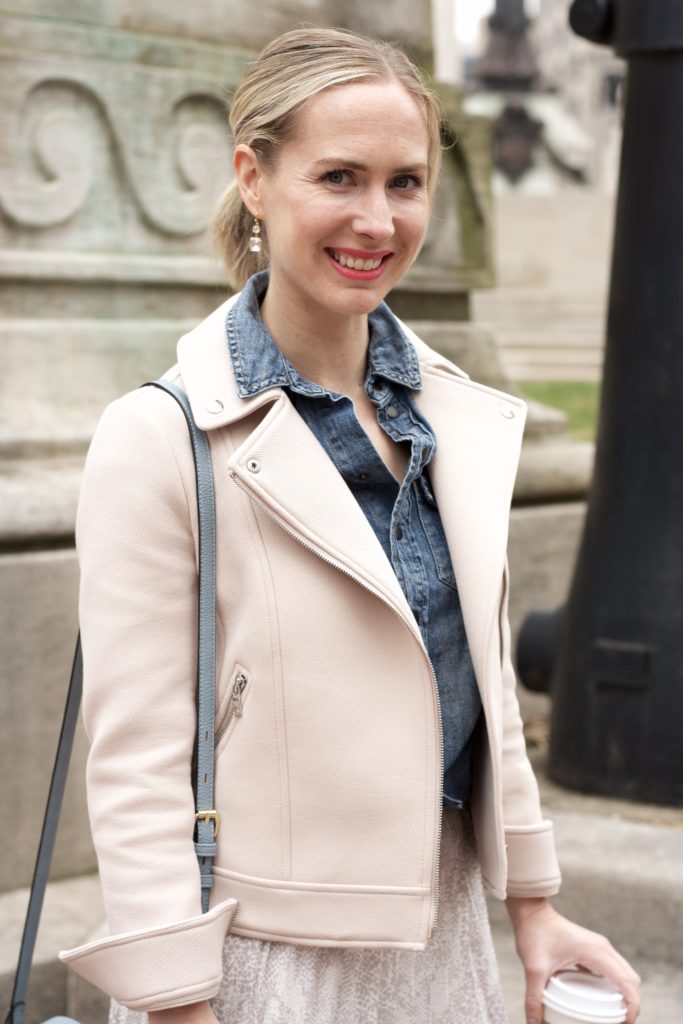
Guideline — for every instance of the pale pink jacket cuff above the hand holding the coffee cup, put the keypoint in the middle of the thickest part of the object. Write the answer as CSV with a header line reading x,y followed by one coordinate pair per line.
x,y
533,868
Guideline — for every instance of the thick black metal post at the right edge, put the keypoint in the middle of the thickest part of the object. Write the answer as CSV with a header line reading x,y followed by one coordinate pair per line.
x,y
617,724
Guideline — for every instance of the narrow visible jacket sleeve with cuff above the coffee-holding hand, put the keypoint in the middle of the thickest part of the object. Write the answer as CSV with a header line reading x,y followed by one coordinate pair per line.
x,y
533,868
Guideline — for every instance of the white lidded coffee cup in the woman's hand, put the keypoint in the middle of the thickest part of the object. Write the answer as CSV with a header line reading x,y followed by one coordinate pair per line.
x,y
577,998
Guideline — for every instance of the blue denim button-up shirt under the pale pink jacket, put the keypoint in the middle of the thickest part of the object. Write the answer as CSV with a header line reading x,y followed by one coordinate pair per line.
x,y
404,517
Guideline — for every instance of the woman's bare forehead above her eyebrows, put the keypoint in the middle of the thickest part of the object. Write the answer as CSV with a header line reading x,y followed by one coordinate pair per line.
x,y
370,115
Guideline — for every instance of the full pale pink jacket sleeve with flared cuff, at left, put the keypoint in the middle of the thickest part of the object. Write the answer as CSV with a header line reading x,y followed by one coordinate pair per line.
x,y
136,534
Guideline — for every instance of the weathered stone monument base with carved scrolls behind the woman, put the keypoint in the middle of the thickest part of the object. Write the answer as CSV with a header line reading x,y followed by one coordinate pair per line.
x,y
115,149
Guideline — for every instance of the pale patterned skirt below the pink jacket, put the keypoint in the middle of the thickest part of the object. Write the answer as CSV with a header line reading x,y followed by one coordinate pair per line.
x,y
454,982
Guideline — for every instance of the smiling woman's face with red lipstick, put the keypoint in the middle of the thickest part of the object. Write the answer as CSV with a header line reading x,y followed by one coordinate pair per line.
x,y
347,204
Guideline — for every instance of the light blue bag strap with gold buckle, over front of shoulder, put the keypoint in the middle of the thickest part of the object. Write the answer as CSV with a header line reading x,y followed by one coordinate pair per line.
x,y
206,817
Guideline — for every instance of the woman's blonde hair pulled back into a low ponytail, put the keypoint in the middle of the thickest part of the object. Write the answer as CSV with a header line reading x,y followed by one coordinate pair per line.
x,y
287,73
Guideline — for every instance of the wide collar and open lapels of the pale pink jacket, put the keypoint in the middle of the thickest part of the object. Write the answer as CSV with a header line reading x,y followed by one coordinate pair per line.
x,y
282,465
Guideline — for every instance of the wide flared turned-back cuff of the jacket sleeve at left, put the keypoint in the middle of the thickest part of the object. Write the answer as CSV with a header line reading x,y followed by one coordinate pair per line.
x,y
158,968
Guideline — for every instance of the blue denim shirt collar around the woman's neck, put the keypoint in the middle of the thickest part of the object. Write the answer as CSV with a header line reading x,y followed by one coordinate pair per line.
x,y
259,364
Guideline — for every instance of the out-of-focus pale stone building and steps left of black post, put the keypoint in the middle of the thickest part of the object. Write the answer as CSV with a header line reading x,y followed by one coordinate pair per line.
x,y
554,219
